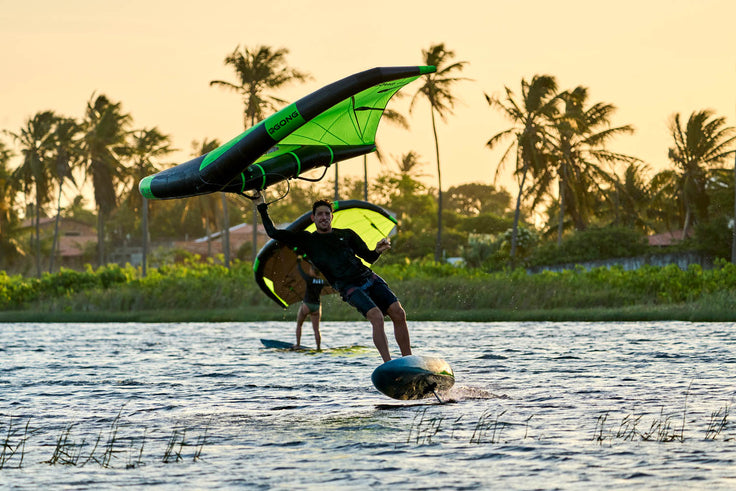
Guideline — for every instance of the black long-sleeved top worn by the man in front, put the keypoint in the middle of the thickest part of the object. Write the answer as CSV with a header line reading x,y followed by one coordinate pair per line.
x,y
333,253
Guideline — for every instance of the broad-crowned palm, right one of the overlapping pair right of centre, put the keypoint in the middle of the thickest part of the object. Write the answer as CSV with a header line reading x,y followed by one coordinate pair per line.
x,y
578,139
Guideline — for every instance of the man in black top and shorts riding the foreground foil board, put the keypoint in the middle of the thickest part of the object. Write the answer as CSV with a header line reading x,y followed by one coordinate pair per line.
x,y
335,253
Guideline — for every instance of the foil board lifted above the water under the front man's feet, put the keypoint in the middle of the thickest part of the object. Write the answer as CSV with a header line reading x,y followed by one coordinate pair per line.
x,y
413,377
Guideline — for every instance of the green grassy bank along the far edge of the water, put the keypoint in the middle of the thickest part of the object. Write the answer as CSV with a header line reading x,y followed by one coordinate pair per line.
x,y
201,292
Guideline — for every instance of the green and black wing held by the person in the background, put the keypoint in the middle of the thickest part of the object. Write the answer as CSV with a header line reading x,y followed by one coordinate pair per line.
x,y
275,265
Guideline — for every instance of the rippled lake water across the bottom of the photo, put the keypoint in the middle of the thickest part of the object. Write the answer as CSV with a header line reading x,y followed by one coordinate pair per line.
x,y
201,406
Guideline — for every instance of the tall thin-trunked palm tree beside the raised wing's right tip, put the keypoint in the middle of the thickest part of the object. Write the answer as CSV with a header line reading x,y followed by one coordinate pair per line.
x,y
437,90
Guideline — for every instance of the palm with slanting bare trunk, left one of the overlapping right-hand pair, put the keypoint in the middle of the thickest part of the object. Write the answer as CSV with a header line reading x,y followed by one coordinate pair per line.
x,y
531,116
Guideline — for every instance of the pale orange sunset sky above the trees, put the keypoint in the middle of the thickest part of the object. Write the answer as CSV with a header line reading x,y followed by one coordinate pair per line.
x,y
651,58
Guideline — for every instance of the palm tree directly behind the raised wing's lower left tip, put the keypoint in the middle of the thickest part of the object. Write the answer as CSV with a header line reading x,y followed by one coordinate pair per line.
x,y
146,147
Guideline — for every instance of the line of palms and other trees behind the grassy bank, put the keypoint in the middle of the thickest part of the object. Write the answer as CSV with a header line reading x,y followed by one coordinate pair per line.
x,y
557,144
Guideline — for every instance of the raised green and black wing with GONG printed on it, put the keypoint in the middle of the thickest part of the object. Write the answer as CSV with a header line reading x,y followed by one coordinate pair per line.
x,y
337,122
